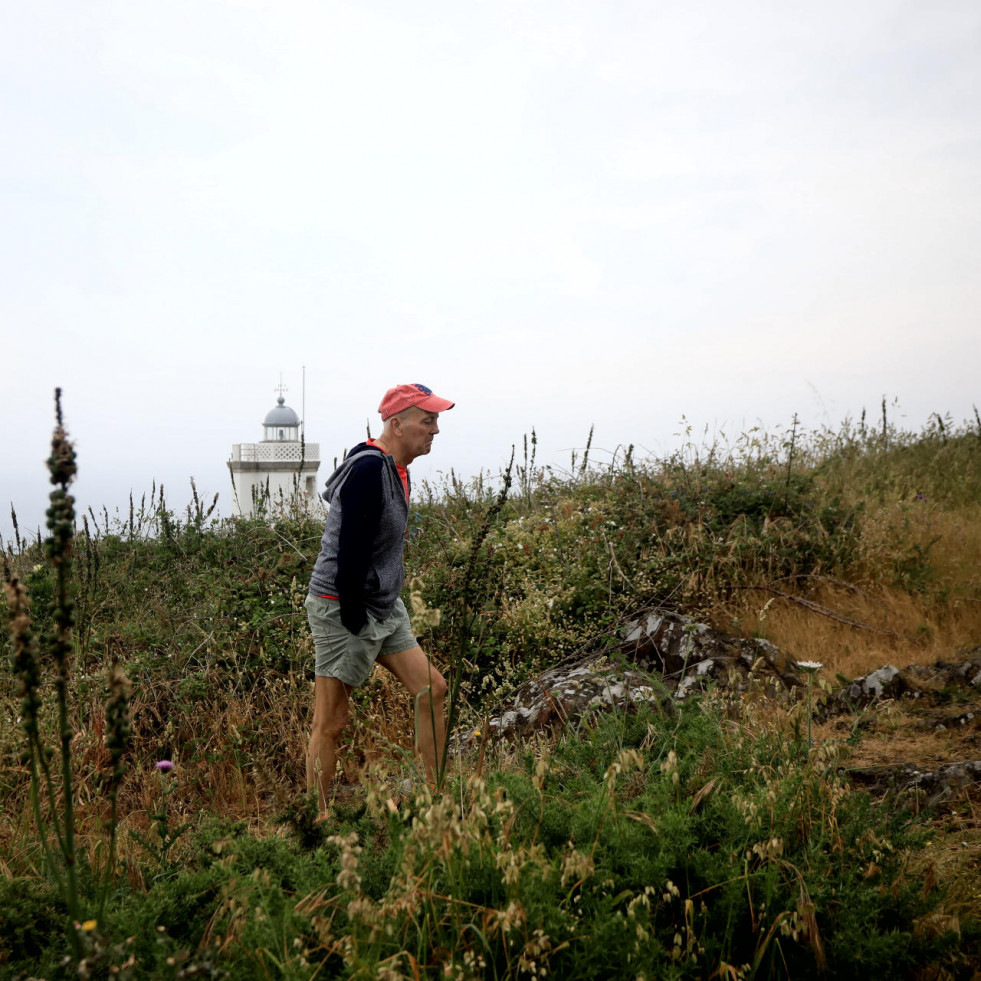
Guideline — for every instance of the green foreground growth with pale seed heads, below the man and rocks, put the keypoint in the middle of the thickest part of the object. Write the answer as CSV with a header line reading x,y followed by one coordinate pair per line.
x,y
776,870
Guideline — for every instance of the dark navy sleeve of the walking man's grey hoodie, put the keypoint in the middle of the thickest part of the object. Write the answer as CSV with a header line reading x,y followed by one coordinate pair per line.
x,y
361,505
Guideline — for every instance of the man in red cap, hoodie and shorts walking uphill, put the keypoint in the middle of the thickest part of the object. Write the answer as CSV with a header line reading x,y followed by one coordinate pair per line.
x,y
354,607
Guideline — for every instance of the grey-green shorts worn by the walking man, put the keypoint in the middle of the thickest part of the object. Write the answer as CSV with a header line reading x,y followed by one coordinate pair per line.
x,y
347,656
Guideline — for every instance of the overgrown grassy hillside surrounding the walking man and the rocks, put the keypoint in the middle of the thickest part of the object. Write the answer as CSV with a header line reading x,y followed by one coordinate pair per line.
x,y
708,844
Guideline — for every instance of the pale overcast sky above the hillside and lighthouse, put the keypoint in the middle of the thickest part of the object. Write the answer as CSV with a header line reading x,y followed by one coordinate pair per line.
x,y
559,213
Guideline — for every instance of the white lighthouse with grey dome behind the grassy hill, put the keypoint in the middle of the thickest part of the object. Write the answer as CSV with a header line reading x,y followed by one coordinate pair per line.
x,y
279,473
